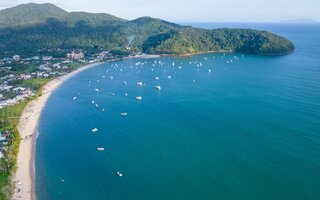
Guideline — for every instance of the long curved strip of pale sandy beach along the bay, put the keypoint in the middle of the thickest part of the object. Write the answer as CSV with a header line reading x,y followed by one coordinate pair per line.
x,y
28,124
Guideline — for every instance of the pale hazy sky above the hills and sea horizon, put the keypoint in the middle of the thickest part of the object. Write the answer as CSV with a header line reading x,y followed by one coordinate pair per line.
x,y
192,10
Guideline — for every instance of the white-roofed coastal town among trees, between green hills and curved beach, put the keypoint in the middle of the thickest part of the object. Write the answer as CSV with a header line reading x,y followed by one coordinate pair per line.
x,y
46,67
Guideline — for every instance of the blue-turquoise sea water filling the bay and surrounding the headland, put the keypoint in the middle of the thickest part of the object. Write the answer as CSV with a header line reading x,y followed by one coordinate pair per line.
x,y
249,130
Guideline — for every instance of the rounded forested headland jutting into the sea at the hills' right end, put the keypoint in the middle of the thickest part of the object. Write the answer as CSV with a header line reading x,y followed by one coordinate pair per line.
x,y
190,40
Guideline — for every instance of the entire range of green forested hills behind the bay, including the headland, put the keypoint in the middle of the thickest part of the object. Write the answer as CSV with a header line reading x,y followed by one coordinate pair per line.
x,y
29,28
